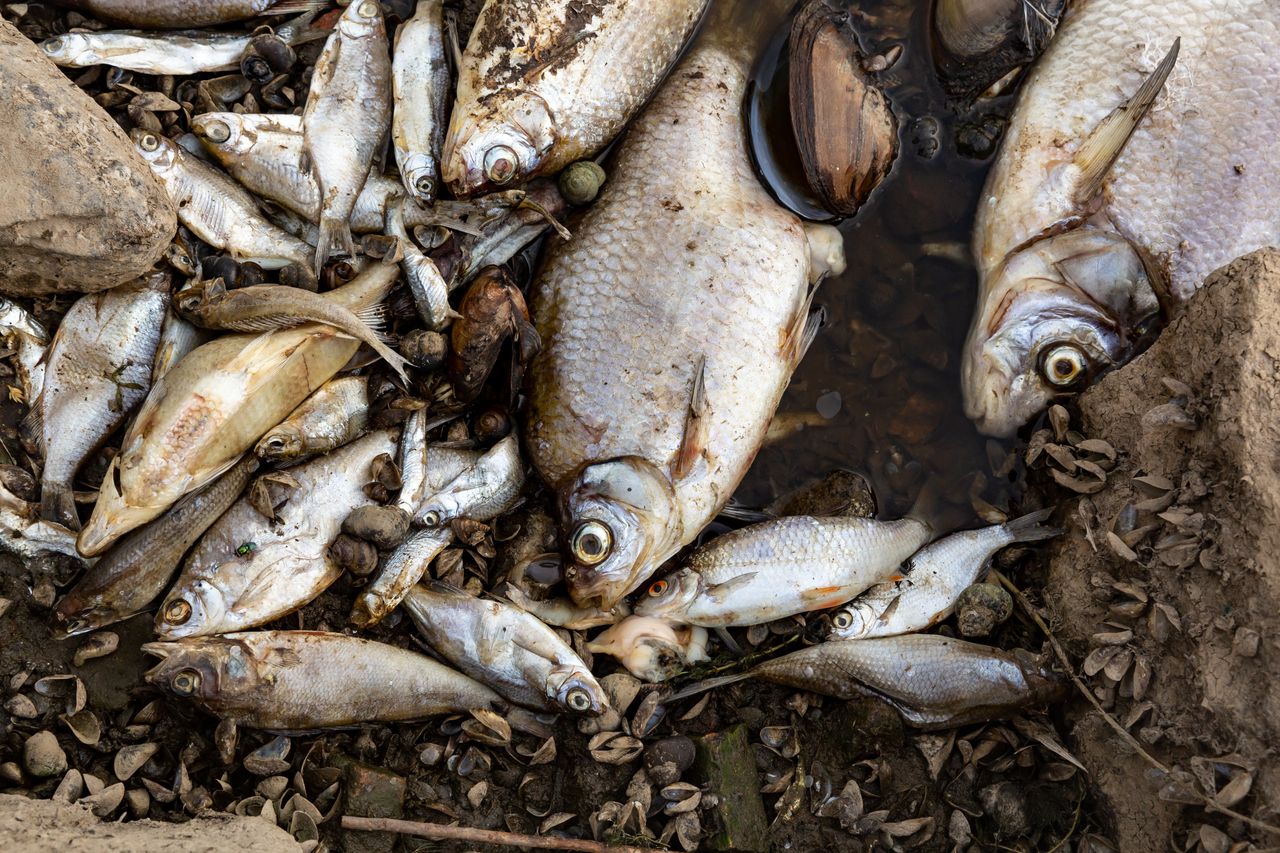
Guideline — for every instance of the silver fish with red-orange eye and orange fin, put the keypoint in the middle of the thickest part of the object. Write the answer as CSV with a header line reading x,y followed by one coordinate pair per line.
x,y
781,568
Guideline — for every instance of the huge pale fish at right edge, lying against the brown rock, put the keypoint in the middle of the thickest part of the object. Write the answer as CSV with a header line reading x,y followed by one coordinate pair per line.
x,y
1136,165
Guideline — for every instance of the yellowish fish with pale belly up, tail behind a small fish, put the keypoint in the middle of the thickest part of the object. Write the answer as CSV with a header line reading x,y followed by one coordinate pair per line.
x,y
214,405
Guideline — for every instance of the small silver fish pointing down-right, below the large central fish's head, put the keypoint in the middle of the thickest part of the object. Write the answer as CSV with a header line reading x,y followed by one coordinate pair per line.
x,y
502,646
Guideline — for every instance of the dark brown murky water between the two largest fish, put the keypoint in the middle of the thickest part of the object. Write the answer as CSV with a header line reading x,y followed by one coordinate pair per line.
x,y
884,377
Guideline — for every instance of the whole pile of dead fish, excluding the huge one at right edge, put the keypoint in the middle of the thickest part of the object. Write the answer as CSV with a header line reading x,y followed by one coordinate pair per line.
x,y
267,450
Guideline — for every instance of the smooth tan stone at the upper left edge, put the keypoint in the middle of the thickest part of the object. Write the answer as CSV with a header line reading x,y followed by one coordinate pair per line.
x,y
80,211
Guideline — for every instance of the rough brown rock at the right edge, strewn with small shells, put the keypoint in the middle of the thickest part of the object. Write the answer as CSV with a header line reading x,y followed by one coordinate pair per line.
x,y
1212,695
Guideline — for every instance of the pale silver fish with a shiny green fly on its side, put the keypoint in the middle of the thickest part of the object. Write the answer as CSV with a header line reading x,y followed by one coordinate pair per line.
x,y
249,571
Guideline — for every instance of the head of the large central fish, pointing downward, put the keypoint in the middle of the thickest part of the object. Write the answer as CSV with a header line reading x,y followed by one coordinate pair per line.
x,y
621,523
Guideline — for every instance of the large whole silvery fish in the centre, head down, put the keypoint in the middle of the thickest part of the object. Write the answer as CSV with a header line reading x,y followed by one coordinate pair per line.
x,y
671,323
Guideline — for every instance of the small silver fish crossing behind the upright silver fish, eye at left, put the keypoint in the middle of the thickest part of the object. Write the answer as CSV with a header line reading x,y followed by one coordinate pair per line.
x,y
264,153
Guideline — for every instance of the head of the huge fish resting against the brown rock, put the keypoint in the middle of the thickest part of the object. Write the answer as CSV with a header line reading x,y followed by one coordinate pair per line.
x,y
1058,313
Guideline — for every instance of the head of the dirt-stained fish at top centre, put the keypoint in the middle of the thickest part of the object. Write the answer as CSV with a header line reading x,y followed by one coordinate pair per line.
x,y
502,148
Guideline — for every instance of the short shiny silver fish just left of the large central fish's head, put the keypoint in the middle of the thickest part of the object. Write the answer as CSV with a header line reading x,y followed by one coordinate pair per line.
x,y
484,491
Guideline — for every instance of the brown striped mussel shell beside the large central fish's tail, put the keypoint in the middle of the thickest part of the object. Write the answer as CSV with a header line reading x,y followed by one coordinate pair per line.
x,y
845,129
